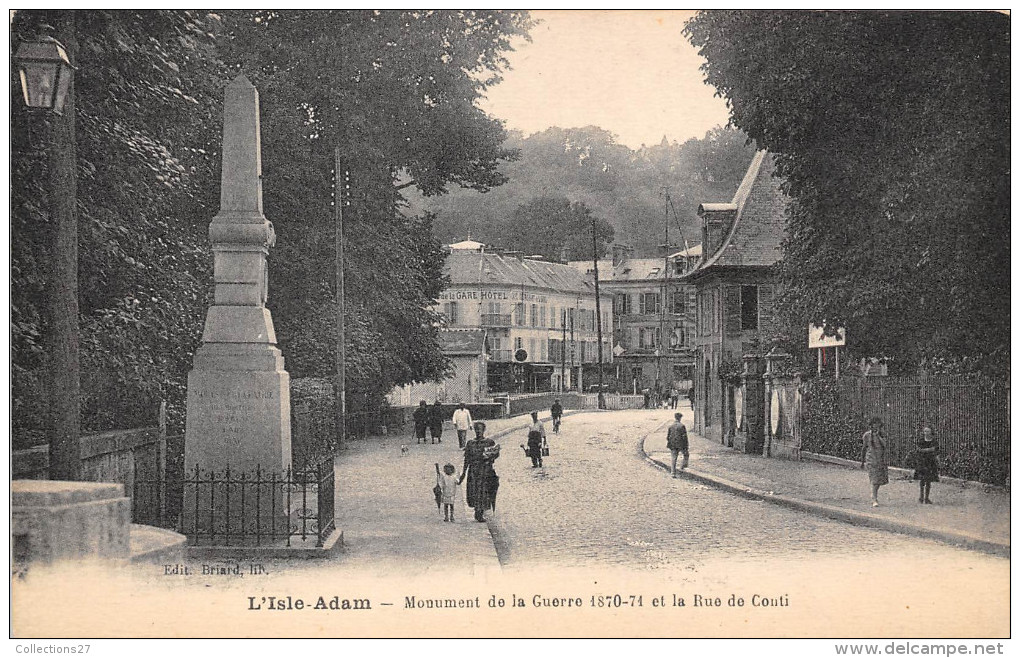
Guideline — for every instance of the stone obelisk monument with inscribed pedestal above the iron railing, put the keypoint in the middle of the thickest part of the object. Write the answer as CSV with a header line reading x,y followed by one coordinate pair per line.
x,y
239,394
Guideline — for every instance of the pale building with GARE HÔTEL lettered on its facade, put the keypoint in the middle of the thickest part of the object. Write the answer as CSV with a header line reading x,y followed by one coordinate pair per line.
x,y
539,319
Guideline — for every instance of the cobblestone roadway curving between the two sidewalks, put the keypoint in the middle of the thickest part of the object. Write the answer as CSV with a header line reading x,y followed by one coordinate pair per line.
x,y
596,500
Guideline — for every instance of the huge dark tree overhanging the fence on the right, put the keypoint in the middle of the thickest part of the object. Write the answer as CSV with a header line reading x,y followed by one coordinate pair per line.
x,y
889,130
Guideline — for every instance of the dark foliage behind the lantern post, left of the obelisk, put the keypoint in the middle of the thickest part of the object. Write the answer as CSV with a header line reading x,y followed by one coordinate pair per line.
x,y
146,98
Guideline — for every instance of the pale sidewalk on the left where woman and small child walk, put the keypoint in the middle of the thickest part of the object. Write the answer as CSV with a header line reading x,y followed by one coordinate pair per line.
x,y
388,515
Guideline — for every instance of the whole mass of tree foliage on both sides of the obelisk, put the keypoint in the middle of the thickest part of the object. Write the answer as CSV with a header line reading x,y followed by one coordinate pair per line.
x,y
396,91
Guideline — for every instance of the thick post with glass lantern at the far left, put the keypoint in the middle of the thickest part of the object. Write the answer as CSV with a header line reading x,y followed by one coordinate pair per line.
x,y
46,73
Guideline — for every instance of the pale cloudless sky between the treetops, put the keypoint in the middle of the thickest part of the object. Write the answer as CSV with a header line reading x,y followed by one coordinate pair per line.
x,y
631,73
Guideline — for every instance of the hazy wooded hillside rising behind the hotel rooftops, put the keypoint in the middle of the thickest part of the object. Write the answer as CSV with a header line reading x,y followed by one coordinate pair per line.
x,y
622,185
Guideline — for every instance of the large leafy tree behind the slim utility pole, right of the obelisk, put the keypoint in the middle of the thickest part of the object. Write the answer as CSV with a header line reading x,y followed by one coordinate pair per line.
x,y
396,92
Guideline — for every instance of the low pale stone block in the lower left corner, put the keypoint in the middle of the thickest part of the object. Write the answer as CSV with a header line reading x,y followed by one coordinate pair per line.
x,y
63,521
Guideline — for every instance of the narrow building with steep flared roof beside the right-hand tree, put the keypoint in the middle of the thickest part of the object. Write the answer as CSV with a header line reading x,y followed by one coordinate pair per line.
x,y
735,287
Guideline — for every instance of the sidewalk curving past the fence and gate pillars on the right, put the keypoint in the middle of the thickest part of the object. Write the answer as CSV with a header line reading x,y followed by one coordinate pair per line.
x,y
974,516
